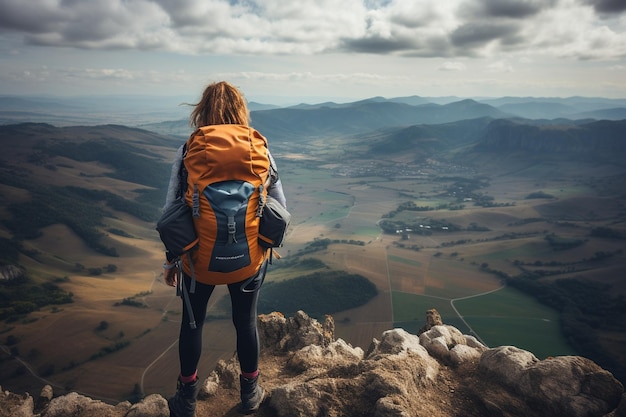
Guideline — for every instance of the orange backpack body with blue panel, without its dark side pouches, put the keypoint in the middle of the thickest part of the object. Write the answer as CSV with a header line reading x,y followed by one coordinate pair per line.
x,y
227,168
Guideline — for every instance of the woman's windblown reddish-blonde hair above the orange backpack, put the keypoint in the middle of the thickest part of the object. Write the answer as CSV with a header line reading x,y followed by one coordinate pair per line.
x,y
221,104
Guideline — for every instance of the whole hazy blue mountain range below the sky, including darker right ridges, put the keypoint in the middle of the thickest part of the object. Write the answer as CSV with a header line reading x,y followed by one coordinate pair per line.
x,y
578,124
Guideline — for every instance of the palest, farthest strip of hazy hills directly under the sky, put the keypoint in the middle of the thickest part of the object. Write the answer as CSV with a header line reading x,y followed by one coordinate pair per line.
x,y
359,116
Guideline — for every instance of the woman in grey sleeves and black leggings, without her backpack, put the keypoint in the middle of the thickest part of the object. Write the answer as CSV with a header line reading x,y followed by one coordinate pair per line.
x,y
221,104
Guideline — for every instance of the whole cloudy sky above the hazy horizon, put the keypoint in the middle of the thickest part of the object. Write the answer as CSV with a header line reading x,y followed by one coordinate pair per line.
x,y
285,51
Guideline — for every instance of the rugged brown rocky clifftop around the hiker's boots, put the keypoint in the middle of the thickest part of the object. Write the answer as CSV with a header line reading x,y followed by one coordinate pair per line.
x,y
441,372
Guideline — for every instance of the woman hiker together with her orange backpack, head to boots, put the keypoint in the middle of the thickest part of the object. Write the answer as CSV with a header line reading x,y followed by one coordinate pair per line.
x,y
223,148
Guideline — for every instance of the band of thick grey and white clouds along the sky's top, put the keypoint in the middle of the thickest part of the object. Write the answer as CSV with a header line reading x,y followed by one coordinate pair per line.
x,y
411,28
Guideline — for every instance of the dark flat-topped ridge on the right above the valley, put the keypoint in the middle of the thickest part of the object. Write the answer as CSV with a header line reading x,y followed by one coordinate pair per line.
x,y
589,139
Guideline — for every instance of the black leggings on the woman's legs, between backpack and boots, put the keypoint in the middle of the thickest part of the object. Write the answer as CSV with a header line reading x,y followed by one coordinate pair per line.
x,y
243,296
